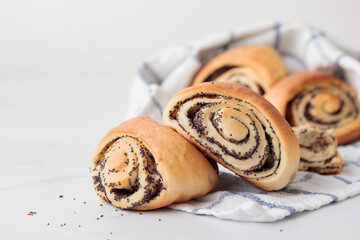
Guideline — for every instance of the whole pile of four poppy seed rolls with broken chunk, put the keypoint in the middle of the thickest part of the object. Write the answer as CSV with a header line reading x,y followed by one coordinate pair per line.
x,y
243,112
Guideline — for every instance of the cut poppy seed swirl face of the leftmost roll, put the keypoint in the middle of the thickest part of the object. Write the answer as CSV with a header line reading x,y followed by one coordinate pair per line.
x,y
125,173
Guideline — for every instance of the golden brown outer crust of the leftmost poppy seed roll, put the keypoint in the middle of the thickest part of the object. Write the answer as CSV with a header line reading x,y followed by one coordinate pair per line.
x,y
185,173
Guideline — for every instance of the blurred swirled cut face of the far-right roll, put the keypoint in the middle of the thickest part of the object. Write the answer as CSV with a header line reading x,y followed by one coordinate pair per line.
x,y
328,106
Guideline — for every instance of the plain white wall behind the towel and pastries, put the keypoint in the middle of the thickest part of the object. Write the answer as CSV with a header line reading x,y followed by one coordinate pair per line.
x,y
87,37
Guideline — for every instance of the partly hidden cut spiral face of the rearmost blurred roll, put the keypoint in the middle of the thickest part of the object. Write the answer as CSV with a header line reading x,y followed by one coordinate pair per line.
x,y
237,74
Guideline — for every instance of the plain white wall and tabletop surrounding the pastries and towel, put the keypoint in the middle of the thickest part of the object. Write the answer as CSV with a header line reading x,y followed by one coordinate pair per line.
x,y
65,72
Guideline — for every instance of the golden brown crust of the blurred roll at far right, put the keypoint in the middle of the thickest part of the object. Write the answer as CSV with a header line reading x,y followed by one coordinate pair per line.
x,y
286,89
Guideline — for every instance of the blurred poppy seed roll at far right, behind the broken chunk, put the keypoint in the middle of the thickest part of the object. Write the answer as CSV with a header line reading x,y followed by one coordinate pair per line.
x,y
318,99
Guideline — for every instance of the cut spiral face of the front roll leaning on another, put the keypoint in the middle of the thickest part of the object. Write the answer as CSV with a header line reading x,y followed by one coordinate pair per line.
x,y
230,129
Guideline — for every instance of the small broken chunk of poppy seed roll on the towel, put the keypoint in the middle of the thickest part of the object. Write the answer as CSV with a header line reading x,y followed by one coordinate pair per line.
x,y
318,150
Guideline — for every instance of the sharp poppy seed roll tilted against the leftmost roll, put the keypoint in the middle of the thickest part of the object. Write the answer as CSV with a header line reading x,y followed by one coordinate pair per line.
x,y
239,129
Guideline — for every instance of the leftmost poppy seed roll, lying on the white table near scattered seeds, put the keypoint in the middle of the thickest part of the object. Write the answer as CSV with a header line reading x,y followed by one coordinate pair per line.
x,y
144,165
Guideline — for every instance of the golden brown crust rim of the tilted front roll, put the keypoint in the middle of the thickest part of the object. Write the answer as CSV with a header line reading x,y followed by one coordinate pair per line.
x,y
289,146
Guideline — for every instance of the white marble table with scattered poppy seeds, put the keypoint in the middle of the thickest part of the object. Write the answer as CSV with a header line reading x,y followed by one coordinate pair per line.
x,y
49,130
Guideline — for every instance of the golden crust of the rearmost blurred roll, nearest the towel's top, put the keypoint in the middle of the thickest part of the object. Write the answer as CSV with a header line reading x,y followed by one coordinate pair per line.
x,y
263,60
